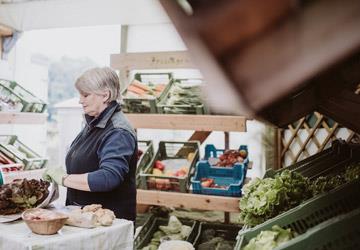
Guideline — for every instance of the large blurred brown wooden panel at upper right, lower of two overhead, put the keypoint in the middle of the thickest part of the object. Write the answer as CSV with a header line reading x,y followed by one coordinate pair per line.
x,y
310,42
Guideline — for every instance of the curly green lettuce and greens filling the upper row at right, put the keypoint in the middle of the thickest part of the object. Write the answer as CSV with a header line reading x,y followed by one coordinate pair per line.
x,y
266,198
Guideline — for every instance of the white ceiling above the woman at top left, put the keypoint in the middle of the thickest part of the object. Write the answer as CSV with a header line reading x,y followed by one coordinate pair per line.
x,y
43,14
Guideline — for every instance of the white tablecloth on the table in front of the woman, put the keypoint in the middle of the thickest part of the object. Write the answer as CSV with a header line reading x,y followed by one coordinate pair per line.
x,y
17,236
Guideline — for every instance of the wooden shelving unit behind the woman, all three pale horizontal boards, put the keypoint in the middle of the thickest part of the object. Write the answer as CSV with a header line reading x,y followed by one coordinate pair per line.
x,y
203,125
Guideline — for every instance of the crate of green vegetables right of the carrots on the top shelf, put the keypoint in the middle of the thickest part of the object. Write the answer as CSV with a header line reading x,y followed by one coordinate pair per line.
x,y
184,97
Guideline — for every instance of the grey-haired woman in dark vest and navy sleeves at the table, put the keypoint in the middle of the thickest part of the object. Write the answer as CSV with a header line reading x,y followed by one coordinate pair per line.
x,y
101,161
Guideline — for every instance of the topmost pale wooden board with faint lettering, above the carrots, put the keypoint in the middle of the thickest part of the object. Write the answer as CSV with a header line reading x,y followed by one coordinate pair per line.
x,y
151,60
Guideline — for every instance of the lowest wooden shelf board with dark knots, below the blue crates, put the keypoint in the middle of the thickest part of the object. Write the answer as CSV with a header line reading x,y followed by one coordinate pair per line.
x,y
188,200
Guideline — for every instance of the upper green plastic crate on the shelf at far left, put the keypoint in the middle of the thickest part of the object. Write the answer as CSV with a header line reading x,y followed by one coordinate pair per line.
x,y
29,102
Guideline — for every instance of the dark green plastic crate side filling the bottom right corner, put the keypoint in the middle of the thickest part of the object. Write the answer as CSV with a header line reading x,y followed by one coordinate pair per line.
x,y
339,233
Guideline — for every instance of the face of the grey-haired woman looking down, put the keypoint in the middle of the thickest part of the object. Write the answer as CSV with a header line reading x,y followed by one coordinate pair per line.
x,y
93,104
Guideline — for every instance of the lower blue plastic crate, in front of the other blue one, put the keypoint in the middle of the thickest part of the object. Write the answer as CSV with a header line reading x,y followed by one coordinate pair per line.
x,y
233,178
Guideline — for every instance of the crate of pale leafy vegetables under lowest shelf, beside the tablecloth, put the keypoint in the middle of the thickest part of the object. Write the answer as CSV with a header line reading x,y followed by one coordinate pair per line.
x,y
156,229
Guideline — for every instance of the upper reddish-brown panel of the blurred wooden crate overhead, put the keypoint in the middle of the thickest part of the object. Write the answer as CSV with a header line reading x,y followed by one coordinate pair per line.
x,y
230,24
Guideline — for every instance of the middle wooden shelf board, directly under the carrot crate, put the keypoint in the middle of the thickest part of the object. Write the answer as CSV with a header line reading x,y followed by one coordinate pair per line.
x,y
188,122
